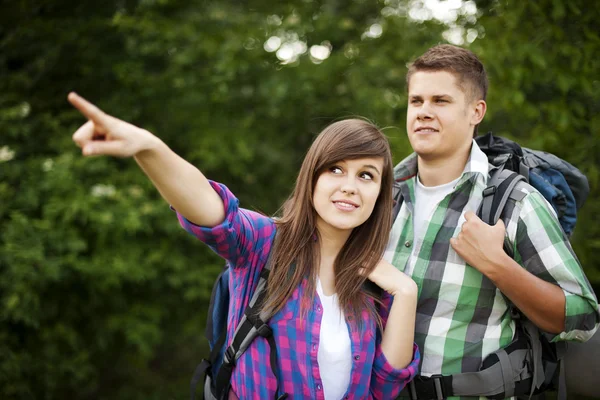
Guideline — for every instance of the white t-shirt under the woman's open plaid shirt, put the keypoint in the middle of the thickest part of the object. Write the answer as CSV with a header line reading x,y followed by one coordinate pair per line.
x,y
335,353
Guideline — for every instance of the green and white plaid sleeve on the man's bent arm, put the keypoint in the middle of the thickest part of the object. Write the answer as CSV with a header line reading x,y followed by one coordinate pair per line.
x,y
543,249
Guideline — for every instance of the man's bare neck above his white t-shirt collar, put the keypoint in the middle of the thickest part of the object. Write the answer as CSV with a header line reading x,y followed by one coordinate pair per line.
x,y
436,172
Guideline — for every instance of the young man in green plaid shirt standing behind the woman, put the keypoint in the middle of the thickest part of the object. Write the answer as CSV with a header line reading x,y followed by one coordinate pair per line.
x,y
464,275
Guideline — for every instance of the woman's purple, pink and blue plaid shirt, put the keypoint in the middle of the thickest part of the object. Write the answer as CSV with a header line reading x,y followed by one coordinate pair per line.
x,y
244,239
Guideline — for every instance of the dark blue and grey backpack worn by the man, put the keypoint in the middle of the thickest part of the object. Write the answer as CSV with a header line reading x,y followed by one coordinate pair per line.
x,y
566,189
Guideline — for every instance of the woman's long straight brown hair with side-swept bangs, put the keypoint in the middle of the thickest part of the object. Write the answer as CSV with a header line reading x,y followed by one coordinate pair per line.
x,y
295,253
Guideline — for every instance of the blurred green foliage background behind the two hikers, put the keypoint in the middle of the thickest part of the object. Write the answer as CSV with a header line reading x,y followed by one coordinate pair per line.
x,y
102,295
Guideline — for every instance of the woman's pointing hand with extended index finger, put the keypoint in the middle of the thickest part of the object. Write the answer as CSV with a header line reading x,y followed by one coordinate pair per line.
x,y
106,135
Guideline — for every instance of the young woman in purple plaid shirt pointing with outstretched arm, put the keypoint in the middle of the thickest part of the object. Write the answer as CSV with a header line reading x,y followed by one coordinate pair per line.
x,y
334,339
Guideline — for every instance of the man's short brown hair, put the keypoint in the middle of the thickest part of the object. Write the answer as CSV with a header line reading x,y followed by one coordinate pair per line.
x,y
464,64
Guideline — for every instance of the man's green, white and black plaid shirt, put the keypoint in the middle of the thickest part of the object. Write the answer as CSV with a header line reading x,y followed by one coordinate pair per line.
x,y
461,315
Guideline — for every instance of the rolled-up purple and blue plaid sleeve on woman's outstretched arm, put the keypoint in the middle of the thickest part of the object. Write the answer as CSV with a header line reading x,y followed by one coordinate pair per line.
x,y
236,238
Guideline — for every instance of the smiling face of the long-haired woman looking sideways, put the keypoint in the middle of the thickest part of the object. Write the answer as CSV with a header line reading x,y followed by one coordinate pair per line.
x,y
346,193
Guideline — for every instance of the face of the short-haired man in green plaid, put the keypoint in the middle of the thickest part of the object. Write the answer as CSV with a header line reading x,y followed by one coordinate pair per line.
x,y
439,121
